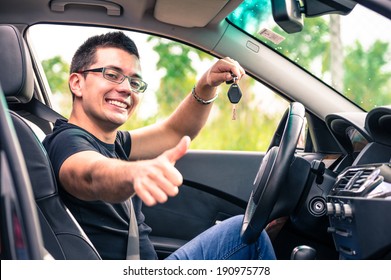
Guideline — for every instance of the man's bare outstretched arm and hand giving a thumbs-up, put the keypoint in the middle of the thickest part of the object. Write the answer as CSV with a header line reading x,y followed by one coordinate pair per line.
x,y
114,180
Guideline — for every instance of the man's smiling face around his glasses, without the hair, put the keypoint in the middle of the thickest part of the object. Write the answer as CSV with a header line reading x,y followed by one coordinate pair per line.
x,y
104,102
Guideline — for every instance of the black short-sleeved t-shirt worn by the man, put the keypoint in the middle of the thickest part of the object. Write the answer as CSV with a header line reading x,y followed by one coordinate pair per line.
x,y
106,224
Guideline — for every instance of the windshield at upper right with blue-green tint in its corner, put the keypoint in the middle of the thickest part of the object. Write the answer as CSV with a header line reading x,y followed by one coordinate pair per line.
x,y
350,53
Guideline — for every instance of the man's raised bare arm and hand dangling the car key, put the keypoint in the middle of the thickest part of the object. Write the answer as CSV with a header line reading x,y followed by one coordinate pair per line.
x,y
188,118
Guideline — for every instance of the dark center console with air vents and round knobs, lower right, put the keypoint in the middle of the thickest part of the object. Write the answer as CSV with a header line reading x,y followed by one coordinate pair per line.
x,y
359,211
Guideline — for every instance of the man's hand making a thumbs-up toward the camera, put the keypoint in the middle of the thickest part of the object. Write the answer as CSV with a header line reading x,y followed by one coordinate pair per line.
x,y
157,179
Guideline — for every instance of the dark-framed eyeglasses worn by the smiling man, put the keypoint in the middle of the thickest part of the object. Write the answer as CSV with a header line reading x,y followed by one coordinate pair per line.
x,y
117,77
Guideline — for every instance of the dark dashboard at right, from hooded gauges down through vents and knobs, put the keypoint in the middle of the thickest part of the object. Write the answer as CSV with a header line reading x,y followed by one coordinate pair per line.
x,y
359,203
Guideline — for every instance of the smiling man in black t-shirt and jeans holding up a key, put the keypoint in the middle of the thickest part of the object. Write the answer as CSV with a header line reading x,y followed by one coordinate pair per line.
x,y
99,168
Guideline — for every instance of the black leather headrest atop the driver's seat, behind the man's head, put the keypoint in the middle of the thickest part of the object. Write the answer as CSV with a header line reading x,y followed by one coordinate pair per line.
x,y
16,73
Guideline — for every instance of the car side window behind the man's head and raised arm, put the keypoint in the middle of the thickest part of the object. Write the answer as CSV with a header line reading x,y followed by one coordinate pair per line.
x,y
171,70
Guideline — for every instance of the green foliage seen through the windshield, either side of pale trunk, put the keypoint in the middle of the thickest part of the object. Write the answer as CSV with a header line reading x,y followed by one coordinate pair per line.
x,y
366,82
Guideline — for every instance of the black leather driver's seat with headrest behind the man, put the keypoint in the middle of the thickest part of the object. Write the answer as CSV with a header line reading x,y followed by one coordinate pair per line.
x,y
63,237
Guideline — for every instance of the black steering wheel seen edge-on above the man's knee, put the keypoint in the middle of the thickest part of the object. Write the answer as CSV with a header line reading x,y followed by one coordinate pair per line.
x,y
272,173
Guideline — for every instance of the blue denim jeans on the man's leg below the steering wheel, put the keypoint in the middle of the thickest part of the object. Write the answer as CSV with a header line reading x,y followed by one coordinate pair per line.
x,y
223,242
